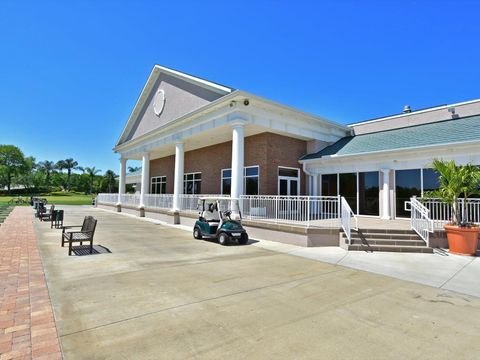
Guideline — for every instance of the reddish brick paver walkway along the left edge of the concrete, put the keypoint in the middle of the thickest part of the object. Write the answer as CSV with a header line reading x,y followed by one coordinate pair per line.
x,y
27,326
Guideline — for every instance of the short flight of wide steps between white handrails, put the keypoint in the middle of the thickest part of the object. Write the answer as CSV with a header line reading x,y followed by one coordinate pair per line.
x,y
385,240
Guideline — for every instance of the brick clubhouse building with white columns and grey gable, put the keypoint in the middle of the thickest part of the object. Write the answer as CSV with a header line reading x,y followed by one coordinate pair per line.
x,y
195,136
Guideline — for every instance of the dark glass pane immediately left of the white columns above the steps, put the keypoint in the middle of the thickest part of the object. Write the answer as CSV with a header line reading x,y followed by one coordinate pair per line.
x,y
368,188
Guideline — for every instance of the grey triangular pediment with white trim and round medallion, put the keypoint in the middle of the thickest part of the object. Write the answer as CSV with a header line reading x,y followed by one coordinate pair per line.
x,y
167,96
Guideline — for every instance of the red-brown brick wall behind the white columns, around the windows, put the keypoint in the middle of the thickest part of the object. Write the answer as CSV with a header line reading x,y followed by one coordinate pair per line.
x,y
267,150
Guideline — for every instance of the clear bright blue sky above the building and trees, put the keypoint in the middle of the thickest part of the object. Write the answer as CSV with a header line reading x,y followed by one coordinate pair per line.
x,y
70,72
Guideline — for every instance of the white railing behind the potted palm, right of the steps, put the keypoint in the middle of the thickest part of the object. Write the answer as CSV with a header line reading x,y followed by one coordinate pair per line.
x,y
442,213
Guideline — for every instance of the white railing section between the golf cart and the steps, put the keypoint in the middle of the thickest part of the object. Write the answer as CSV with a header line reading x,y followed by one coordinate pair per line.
x,y
320,211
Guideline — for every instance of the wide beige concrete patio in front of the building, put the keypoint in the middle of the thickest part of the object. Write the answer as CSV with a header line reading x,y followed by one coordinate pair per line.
x,y
162,294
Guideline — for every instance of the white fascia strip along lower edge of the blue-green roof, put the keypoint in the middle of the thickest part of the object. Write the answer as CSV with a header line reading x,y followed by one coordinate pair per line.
x,y
331,158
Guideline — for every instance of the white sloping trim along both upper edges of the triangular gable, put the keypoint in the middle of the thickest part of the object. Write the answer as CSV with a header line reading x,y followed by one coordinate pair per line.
x,y
149,87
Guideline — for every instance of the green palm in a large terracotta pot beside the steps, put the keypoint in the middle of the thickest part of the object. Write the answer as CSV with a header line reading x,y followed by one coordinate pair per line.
x,y
456,181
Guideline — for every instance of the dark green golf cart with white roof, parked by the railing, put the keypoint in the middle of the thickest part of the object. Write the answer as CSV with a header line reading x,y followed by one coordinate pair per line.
x,y
213,223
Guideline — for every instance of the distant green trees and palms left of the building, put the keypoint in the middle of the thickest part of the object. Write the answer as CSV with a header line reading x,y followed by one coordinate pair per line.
x,y
22,174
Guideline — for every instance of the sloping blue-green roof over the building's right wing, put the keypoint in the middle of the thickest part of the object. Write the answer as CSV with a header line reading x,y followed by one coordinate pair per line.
x,y
442,132
